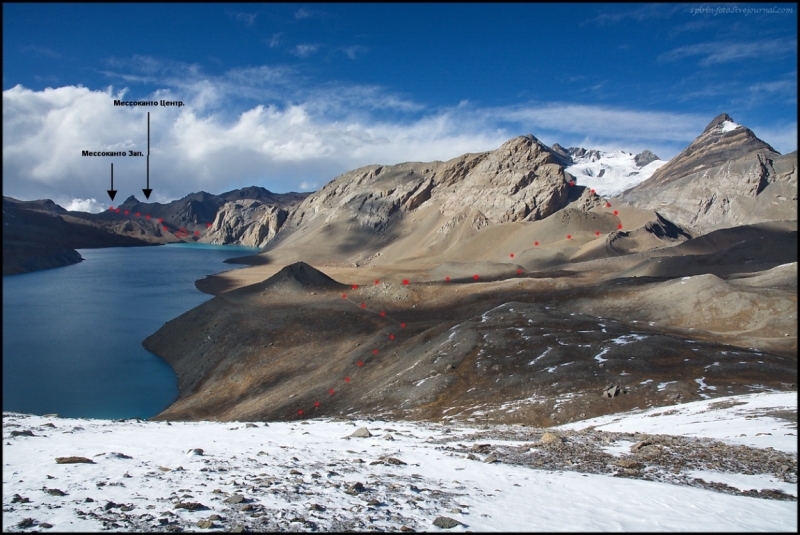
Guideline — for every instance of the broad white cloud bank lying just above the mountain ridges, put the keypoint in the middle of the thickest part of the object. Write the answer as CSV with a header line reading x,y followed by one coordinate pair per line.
x,y
300,135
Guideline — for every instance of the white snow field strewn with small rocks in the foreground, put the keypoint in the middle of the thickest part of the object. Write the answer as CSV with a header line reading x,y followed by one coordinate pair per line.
x,y
257,463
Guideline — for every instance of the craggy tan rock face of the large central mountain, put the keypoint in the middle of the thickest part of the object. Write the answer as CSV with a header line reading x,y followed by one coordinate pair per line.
x,y
520,181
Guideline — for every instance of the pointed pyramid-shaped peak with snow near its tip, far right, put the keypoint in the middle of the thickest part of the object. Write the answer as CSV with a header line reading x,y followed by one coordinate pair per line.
x,y
725,177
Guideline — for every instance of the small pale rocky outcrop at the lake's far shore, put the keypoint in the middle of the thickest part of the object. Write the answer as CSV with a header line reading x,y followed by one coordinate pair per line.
x,y
247,222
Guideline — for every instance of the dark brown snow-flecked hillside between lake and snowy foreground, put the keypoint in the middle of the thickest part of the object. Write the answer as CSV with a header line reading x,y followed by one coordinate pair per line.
x,y
522,349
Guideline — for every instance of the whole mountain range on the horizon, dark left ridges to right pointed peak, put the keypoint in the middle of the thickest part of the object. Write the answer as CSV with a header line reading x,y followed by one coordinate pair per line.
x,y
726,177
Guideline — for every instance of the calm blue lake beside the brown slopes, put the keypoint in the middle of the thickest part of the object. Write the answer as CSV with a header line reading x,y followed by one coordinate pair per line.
x,y
72,336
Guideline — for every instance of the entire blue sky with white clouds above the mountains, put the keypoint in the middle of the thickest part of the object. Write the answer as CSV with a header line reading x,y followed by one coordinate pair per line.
x,y
288,96
